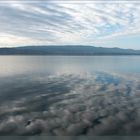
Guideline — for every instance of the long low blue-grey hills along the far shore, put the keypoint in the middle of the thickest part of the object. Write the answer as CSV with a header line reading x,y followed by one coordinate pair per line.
x,y
67,50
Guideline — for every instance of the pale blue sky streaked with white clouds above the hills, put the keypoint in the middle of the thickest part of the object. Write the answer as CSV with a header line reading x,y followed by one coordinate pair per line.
x,y
98,23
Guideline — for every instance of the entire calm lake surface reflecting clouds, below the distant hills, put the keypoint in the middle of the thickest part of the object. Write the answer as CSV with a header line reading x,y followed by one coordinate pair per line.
x,y
69,95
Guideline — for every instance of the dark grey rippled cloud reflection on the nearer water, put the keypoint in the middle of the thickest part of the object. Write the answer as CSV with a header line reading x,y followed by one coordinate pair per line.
x,y
71,105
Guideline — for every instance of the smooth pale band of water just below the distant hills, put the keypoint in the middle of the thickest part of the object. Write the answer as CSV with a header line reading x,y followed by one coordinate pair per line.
x,y
12,65
